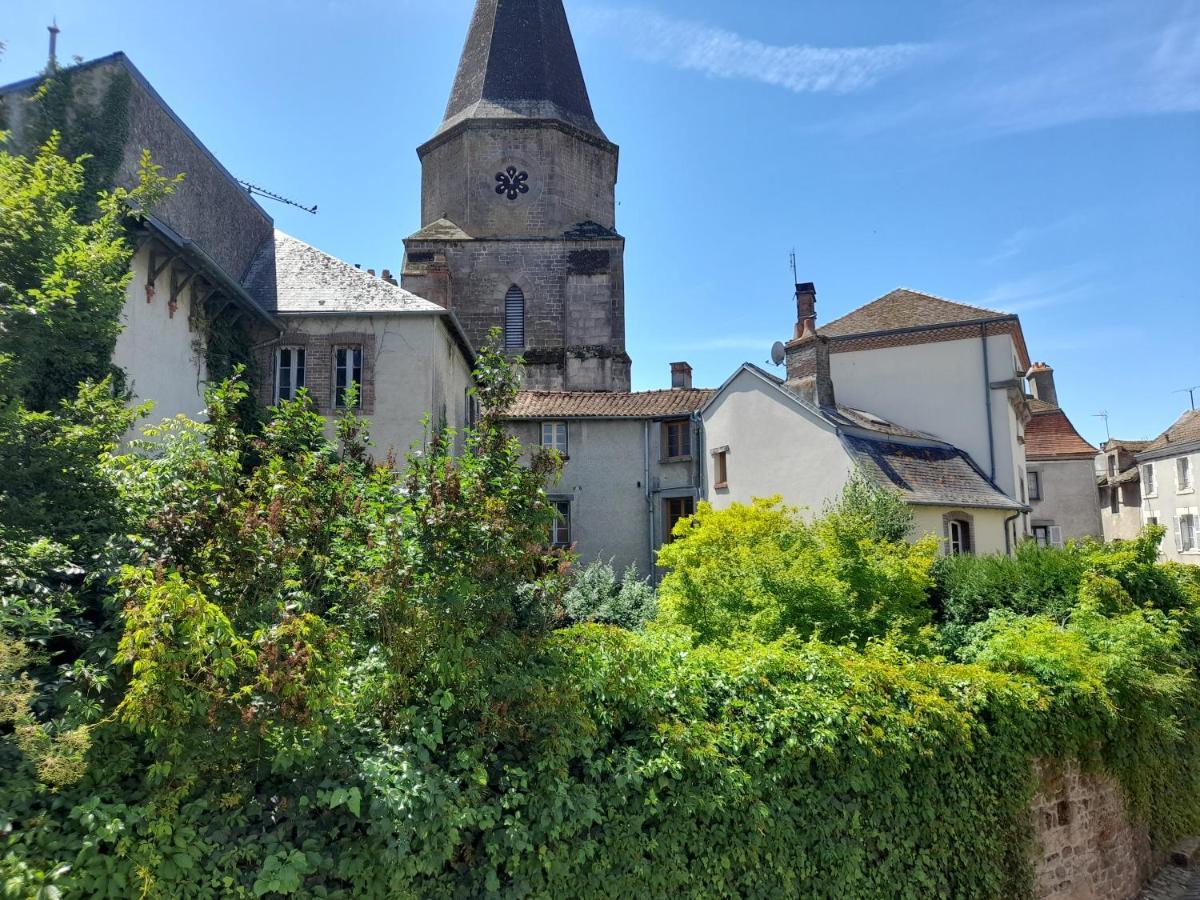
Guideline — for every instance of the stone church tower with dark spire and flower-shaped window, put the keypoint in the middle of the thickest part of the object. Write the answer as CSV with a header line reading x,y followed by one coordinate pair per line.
x,y
519,205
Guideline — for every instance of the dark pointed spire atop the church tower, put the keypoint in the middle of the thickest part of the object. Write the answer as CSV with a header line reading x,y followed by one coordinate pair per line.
x,y
520,63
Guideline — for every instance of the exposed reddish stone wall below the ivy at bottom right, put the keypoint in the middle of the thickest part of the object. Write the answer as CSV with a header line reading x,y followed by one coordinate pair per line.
x,y
1089,847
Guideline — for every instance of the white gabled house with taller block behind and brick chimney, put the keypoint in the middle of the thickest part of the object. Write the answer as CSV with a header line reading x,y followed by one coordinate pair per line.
x,y
874,393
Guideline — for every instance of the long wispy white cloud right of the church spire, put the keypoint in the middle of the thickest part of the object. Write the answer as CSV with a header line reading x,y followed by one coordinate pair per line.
x,y
721,53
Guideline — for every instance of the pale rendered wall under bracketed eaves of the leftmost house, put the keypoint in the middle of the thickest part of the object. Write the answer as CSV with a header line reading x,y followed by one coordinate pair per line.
x,y
159,351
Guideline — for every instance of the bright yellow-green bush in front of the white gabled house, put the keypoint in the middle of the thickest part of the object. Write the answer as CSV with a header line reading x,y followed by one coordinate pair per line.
x,y
763,572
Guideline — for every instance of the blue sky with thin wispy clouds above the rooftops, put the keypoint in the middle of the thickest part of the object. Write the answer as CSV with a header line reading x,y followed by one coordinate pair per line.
x,y
1039,158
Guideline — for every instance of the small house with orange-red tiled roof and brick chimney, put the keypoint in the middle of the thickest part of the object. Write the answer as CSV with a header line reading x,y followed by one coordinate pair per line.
x,y
1061,476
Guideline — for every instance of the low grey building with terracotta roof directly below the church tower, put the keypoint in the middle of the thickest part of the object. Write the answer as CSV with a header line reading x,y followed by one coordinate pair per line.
x,y
634,465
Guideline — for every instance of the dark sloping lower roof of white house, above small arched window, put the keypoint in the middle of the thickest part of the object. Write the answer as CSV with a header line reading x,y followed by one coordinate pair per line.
x,y
928,476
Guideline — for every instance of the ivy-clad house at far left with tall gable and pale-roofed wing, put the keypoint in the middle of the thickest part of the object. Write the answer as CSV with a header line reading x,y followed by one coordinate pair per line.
x,y
215,284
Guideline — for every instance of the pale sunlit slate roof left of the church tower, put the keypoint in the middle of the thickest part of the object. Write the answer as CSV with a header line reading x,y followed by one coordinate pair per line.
x,y
290,277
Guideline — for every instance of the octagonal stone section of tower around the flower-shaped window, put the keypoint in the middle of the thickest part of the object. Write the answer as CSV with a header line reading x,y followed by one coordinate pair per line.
x,y
571,179
